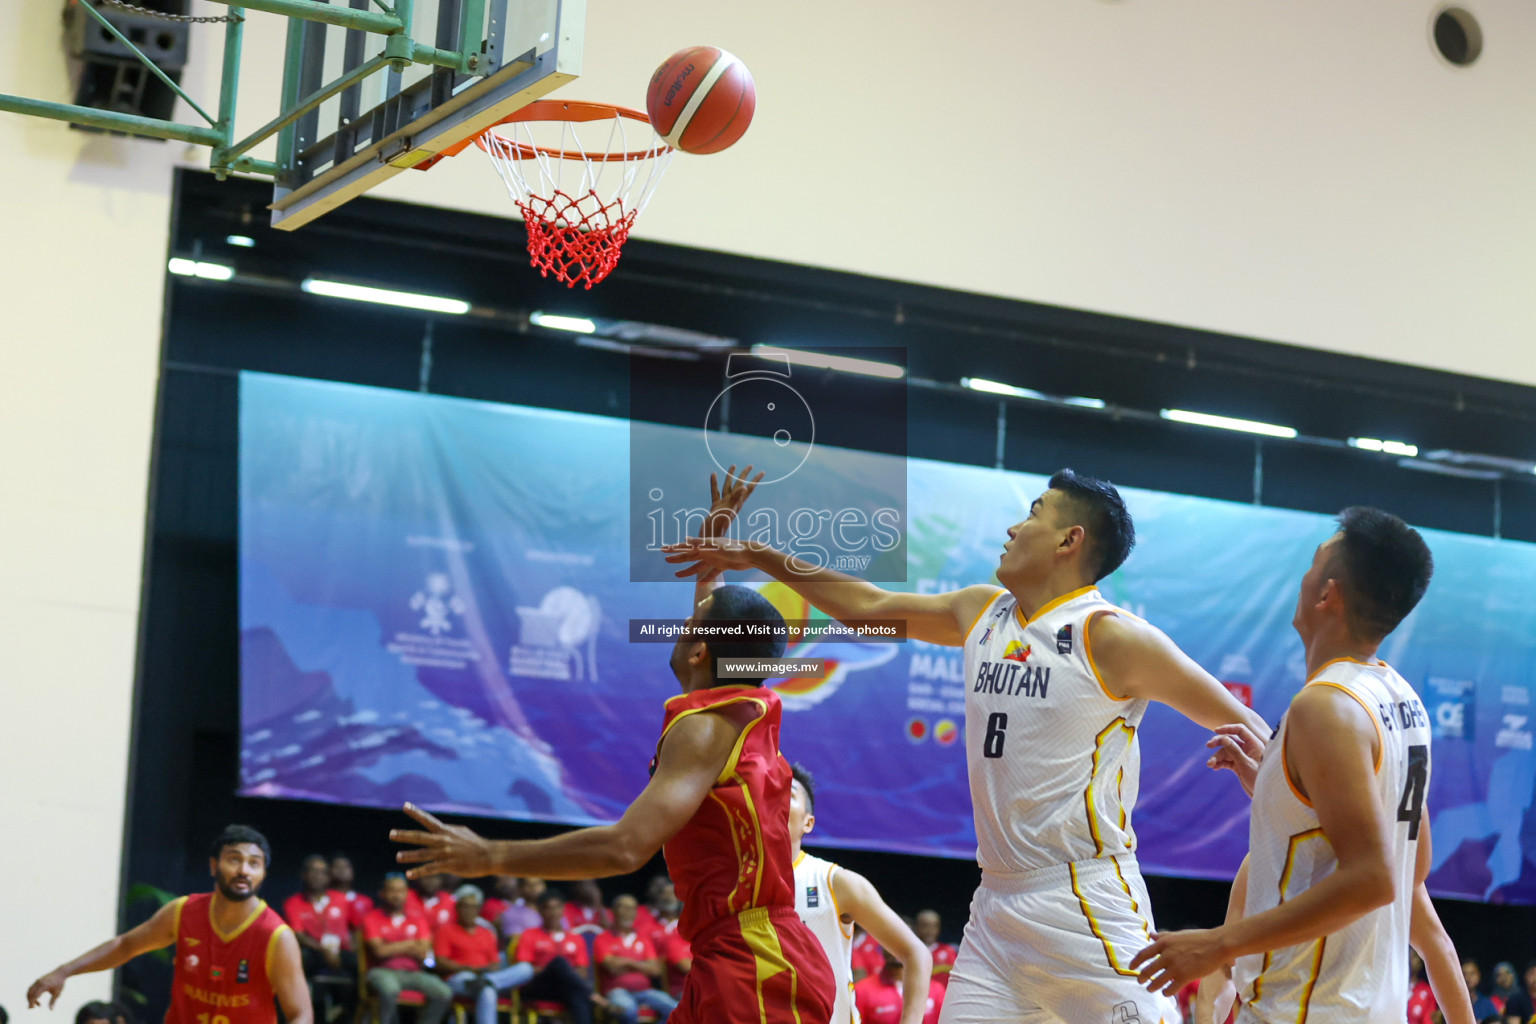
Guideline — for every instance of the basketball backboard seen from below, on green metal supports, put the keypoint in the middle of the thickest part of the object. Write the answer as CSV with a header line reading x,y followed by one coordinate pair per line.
x,y
389,121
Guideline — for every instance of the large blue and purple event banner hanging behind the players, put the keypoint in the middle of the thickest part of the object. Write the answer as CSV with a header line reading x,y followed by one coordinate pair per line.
x,y
435,603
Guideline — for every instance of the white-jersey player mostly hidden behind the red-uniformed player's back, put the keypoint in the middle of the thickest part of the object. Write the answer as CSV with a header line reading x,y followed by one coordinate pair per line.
x,y
830,900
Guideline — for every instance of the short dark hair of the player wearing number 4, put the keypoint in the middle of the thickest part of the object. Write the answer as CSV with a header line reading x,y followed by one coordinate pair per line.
x,y
1385,569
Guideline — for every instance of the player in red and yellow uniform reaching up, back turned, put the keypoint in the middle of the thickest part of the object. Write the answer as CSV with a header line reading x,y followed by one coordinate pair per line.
x,y
720,804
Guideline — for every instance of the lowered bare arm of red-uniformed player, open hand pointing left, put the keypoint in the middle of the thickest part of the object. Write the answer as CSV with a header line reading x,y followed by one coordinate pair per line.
x,y
692,759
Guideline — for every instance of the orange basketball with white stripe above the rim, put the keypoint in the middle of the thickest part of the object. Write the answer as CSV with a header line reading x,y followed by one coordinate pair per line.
x,y
701,101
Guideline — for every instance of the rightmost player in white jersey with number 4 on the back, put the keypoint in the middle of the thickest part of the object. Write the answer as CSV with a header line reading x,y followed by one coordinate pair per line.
x,y
1339,839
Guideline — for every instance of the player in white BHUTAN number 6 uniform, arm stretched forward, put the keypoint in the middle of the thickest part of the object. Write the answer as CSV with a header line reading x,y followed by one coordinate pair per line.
x,y
1058,682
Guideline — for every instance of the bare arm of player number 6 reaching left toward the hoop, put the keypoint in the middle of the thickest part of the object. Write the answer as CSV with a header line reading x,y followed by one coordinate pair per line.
x,y
933,618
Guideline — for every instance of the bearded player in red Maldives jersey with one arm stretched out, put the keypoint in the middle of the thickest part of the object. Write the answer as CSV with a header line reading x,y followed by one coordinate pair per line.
x,y
234,953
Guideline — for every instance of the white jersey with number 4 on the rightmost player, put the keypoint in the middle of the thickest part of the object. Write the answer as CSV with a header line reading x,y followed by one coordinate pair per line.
x,y
1359,974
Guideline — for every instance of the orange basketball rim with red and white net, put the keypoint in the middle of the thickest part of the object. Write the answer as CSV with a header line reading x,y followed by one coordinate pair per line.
x,y
583,202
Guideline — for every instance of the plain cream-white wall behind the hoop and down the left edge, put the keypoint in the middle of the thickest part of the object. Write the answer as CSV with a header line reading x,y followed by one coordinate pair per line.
x,y
1291,170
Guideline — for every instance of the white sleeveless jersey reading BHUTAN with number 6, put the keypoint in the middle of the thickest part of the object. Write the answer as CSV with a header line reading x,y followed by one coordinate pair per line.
x,y
1054,759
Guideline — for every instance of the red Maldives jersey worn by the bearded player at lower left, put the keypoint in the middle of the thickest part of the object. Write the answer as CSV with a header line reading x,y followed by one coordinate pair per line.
x,y
223,974
